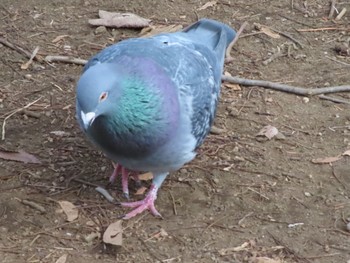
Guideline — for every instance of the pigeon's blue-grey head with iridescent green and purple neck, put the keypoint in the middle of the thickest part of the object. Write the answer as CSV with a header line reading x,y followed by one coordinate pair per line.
x,y
123,106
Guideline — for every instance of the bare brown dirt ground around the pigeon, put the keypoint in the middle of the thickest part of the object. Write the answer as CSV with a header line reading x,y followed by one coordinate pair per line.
x,y
243,199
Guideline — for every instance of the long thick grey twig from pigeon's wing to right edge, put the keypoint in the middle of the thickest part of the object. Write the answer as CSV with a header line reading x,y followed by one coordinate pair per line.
x,y
286,88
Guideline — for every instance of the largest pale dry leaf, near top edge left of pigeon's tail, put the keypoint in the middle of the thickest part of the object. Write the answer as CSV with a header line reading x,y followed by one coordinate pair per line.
x,y
113,19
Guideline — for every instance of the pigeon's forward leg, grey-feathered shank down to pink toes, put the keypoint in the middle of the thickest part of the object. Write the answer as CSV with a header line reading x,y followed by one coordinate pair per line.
x,y
148,202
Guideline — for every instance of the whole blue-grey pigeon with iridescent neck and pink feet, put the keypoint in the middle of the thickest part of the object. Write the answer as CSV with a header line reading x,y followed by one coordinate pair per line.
x,y
148,103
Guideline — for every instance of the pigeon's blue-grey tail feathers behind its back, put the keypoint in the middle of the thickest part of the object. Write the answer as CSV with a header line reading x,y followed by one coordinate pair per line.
x,y
211,32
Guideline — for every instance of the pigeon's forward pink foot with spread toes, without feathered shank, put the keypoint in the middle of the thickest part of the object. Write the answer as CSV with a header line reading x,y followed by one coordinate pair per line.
x,y
147,203
